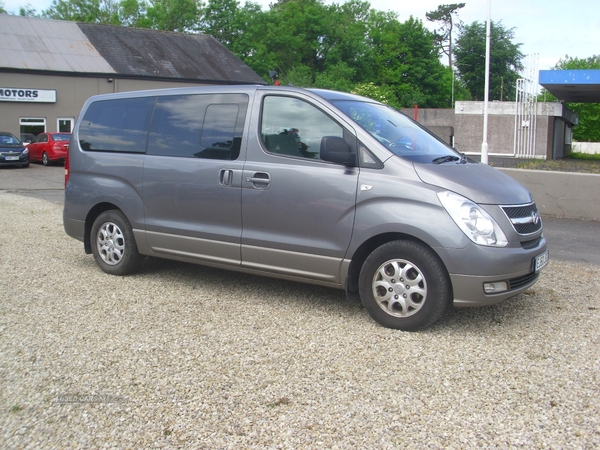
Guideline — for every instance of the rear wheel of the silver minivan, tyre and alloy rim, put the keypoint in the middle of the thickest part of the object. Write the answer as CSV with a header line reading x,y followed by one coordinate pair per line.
x,y
113,244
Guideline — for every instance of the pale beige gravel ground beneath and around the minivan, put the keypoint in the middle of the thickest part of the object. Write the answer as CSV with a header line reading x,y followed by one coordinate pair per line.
x,y
181,356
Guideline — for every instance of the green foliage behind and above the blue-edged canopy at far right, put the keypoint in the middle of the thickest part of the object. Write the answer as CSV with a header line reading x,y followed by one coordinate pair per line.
x,y
588,129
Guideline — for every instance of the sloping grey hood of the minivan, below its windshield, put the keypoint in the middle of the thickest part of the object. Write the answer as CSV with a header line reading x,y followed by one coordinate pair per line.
x,y
478,182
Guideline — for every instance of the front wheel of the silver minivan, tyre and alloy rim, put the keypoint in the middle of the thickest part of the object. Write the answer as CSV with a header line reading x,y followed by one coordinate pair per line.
x,y
404,285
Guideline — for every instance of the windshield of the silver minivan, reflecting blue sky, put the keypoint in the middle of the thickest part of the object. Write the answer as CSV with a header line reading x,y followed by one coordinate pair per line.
x,y
398,133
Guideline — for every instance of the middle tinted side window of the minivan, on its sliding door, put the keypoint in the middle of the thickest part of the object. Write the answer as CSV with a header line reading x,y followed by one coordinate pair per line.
x,y
198,126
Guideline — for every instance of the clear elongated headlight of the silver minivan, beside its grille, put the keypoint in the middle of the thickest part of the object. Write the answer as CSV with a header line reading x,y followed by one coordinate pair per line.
x,y
477,224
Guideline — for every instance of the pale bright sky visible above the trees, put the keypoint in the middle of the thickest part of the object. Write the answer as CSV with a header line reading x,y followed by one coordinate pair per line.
x,y
547,29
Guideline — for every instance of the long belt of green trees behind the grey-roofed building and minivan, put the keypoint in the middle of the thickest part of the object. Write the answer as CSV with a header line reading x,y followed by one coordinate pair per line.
x,y
345,46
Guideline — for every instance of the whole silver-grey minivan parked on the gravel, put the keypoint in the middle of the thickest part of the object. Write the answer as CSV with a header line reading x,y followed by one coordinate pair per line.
x,y
315,186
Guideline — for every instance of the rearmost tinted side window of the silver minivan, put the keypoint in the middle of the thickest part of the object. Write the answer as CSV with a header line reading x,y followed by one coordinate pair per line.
x,y
119,125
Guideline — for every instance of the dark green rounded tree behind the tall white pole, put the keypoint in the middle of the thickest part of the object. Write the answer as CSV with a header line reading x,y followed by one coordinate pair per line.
x,y
505,60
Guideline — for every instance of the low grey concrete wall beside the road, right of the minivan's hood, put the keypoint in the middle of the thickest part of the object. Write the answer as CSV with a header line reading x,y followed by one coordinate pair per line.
x,y
565,194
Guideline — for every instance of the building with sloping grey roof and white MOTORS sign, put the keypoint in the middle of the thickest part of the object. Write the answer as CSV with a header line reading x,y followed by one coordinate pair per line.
x,y
49,68
